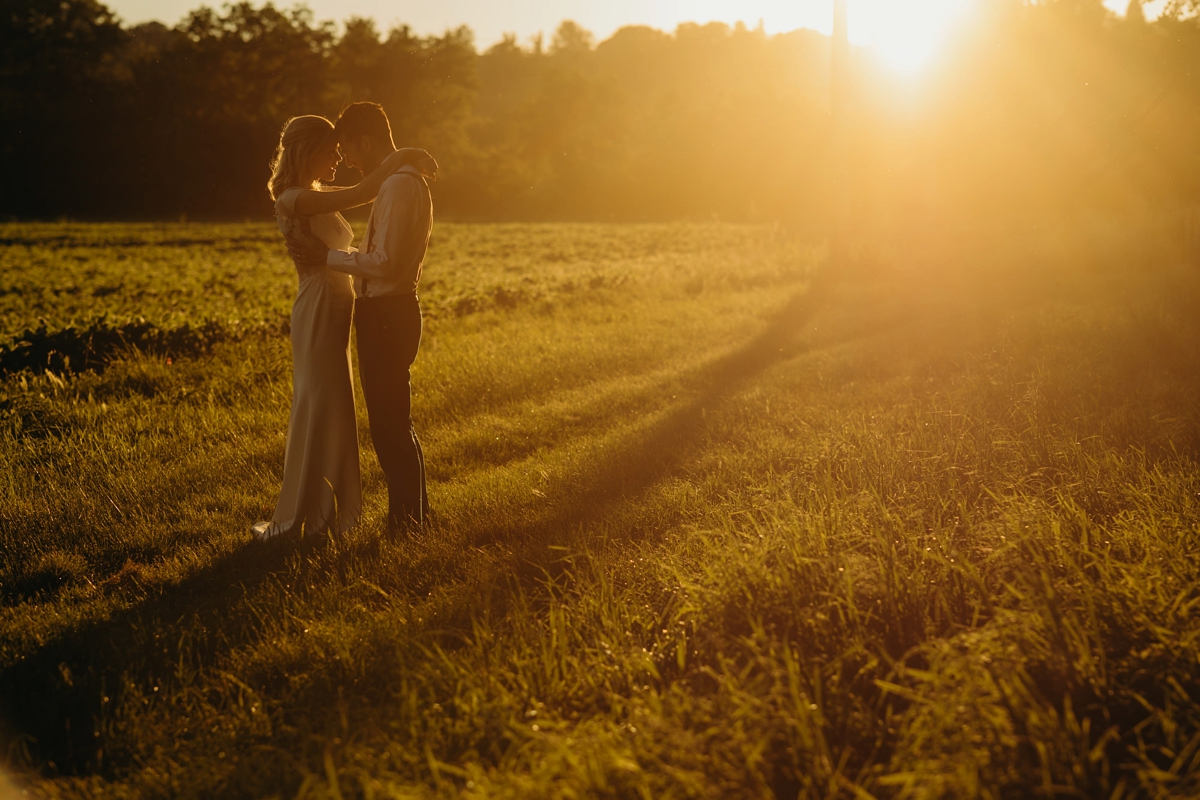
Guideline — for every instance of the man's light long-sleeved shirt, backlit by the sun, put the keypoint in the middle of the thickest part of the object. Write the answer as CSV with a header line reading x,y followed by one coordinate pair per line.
x,y
392,255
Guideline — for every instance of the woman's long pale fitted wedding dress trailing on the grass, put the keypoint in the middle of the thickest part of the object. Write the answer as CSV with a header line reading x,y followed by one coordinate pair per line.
x,y
322,488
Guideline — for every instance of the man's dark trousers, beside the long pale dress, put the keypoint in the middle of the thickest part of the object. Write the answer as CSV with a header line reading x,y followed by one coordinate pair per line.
x,y
389,333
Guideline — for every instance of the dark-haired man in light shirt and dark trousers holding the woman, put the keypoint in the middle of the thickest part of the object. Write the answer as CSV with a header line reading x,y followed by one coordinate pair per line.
x,y
387,269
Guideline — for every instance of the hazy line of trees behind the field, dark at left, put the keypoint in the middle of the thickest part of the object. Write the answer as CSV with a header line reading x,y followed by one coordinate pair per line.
x,y
1052,105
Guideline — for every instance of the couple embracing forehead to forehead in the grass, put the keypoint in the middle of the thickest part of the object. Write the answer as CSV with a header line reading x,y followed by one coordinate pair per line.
x,y
374,285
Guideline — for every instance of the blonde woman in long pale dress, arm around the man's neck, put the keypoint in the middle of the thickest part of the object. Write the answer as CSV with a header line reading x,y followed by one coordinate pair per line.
x,y
321,466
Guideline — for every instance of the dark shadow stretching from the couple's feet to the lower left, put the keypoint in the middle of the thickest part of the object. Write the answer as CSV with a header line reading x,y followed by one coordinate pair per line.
x,y
57,707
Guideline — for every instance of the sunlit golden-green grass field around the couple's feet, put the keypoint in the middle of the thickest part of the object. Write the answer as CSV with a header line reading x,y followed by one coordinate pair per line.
x,y
715,521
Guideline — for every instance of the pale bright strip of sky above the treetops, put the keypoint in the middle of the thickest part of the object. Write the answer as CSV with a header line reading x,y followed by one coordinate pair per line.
x,y
905,32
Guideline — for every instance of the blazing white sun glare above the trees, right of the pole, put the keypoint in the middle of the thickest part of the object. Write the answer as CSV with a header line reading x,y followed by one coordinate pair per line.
x,y
905,35
